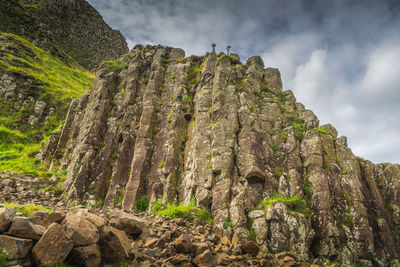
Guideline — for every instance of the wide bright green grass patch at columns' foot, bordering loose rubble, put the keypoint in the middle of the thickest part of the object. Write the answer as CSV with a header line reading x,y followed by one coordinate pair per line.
x,y
189,212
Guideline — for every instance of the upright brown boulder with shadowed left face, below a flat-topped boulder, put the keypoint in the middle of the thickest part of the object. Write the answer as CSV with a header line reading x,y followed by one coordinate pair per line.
x,y
114,244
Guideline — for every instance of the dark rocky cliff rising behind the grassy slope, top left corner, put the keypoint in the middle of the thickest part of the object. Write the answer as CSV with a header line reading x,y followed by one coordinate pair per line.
x,y
64,27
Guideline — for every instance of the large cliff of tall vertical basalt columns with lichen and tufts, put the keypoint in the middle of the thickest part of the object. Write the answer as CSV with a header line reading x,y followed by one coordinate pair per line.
x,y
171,128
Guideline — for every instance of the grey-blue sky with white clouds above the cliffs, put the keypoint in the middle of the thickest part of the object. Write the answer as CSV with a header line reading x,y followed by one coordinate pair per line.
x,y
341,58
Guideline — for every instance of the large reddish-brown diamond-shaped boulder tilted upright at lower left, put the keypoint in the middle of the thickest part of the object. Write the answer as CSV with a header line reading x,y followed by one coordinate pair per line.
x,y
53,247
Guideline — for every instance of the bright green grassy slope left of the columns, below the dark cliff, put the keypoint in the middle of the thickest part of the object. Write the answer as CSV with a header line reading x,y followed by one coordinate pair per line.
x,y
54,82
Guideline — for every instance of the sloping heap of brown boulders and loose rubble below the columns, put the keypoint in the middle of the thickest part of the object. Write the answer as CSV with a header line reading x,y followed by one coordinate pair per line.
x,y
162,242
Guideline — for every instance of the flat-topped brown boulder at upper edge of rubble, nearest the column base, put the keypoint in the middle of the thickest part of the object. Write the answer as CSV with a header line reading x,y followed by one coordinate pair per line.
x,y
129,223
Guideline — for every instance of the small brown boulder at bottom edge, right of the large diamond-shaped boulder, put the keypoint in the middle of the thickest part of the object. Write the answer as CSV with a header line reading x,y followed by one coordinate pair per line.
x,y
85,256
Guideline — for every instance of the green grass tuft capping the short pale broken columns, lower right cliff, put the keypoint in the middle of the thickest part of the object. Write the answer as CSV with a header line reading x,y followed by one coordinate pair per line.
x,y
295,204
